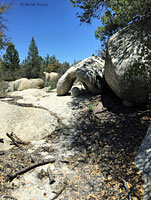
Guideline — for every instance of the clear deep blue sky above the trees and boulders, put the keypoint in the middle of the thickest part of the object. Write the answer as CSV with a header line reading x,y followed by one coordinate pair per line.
x,y
54,26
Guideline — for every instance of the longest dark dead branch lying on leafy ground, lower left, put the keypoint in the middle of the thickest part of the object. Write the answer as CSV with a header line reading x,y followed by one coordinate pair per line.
x,y
26,169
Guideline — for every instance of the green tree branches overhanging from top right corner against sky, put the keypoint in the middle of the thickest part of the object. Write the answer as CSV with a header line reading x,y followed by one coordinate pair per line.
x,y
117,14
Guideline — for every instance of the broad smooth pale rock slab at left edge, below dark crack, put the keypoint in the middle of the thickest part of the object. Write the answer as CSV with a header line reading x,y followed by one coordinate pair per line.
x,y
26,123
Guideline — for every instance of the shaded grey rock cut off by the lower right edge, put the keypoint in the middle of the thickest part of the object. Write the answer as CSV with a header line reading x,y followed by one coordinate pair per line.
x,y
143,162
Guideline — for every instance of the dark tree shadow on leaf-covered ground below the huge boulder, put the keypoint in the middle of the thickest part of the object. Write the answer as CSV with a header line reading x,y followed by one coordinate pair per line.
x,y
111,138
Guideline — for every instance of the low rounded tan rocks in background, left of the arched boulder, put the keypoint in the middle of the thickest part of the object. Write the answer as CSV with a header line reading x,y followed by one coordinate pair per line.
x,y
24,83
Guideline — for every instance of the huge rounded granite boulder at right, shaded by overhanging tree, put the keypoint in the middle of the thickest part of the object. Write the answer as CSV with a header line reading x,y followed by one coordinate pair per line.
x,y
128,62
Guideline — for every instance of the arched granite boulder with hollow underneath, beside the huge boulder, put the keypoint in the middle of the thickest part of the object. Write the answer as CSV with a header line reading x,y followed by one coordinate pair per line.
x,y
90,72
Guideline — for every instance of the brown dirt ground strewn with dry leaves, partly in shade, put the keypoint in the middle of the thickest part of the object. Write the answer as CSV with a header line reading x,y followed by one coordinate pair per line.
x,y
108,141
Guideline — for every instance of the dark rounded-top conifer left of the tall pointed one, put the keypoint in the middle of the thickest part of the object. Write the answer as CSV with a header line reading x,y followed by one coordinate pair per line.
x,y
10,63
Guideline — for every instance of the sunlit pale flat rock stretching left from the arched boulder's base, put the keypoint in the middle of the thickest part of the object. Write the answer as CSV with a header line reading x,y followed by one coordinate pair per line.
x,y
62,106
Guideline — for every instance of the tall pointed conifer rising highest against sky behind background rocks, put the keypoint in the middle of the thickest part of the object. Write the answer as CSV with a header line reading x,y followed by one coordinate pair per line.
x,y
32,64
